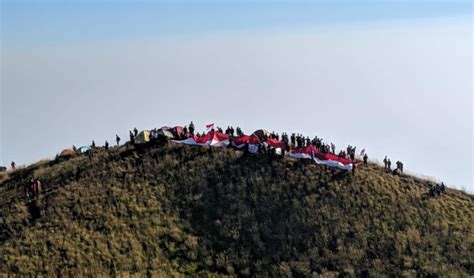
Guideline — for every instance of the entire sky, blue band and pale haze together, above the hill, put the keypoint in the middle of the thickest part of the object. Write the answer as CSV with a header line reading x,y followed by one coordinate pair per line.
x,y
393,78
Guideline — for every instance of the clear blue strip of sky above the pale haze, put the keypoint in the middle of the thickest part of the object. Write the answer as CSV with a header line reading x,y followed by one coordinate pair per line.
x,y
26,23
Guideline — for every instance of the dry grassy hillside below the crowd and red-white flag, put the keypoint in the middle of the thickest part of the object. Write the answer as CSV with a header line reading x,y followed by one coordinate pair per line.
x,y
178,210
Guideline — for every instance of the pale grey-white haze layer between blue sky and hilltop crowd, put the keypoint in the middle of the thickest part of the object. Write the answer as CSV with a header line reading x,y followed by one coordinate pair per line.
x,y
402,89
